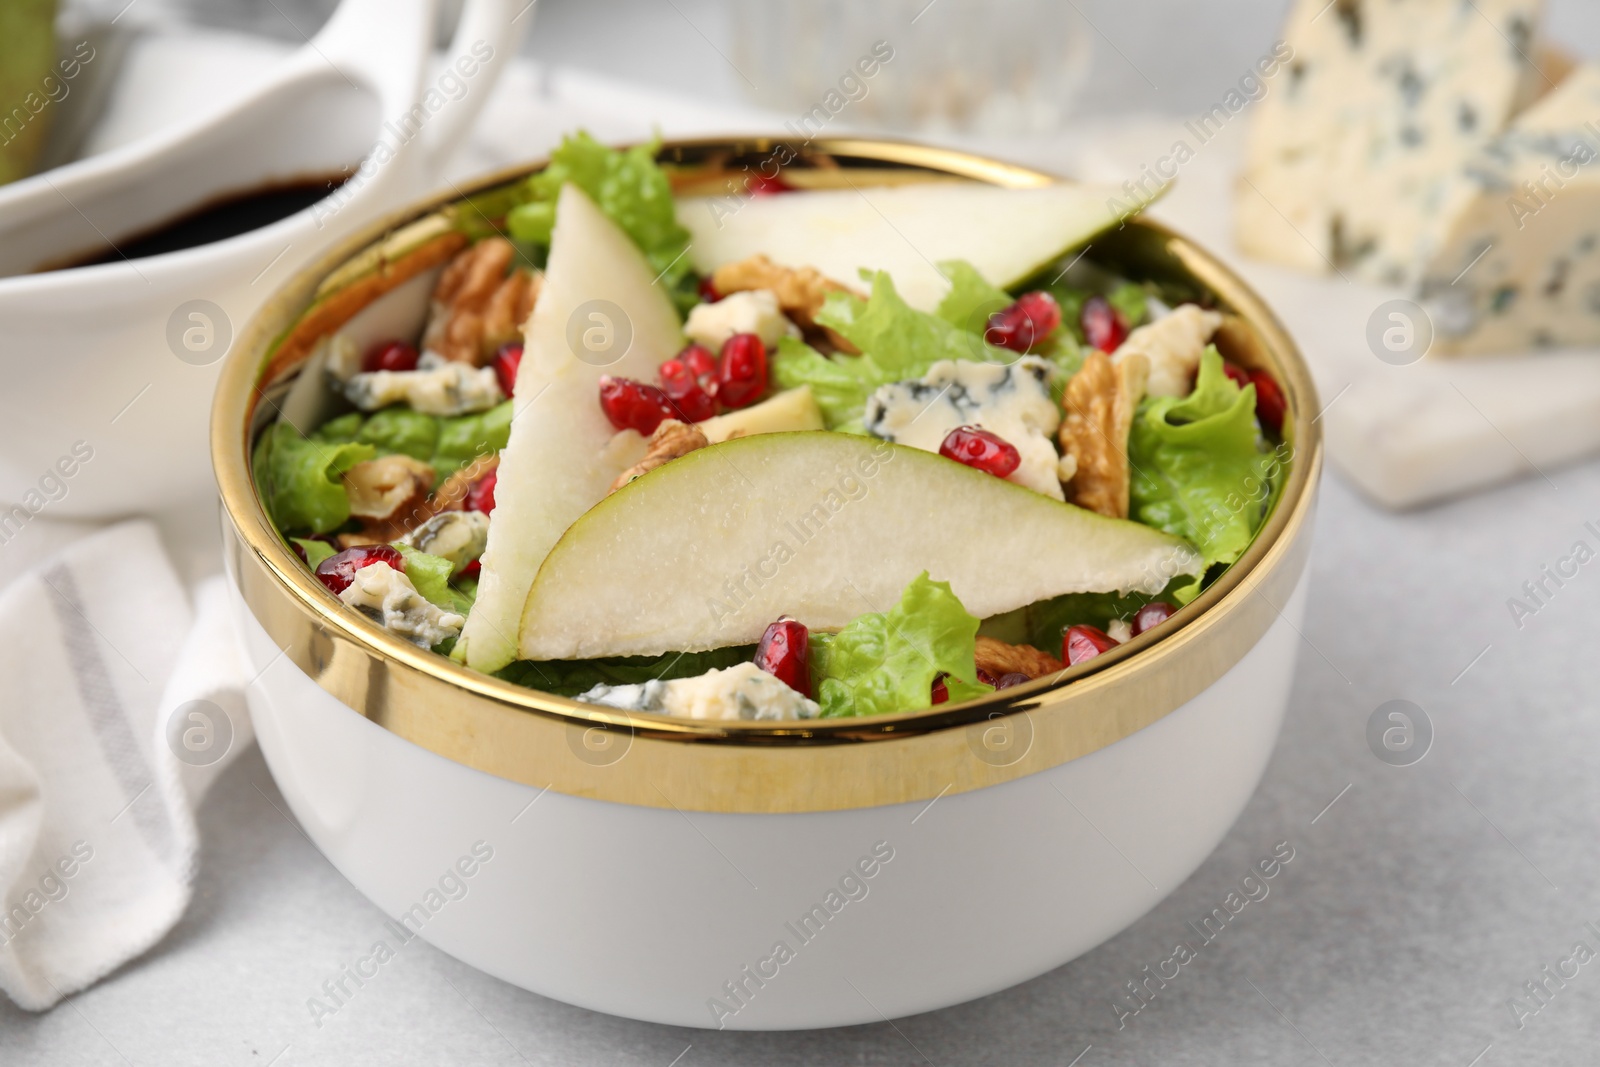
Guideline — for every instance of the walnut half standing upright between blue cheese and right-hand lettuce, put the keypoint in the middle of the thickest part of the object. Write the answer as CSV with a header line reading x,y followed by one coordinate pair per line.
x,y
1100,404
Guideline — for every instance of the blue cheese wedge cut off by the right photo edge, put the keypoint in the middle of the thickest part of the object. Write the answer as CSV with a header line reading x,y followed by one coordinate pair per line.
x,y
1519,263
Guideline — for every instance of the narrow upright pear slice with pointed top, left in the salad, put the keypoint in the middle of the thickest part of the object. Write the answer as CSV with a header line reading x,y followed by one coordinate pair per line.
x,y
558,465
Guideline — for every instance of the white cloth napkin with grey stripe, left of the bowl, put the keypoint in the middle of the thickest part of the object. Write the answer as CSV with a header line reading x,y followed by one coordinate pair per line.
x,y
100,653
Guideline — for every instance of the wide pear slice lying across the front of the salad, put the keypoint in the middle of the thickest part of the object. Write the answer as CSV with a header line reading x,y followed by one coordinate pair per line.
x,y
711,548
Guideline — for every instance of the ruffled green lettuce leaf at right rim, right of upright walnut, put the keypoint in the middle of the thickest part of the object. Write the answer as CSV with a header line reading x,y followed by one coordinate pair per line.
x,y
1199,470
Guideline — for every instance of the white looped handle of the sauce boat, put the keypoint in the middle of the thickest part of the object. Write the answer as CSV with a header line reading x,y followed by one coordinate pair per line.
x,y
425,113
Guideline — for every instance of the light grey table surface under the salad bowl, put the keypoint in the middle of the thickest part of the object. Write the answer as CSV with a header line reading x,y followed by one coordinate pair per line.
x,y
1418,905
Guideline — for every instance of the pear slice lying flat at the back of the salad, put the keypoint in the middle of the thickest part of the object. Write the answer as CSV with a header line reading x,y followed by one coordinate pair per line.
x,y
1009,234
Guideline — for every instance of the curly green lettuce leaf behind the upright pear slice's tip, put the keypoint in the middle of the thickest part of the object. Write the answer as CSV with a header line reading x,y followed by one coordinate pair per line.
x,y
631,190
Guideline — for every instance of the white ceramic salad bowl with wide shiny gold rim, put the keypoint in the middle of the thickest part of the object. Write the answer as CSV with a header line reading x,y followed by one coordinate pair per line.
x,y
764,877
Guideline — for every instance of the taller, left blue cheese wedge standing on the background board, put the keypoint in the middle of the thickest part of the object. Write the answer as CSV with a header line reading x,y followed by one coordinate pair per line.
x,y
1358,142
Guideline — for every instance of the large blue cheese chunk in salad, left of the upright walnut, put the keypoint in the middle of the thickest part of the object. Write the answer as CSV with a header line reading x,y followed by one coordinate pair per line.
x,y
1006,399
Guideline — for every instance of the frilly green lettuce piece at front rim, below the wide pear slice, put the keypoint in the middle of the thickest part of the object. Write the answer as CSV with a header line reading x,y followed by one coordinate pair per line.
x,y
886,663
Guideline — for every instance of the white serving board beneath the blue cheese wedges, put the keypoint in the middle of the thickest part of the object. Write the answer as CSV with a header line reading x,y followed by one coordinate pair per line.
x,y
1406,436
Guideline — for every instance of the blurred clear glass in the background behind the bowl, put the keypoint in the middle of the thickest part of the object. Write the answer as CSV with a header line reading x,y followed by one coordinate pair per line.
x,y
954,66
